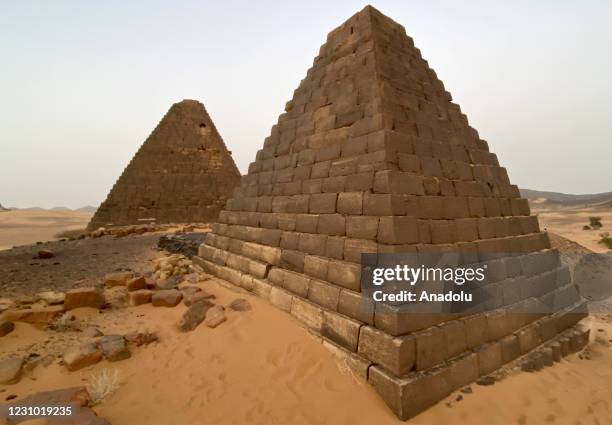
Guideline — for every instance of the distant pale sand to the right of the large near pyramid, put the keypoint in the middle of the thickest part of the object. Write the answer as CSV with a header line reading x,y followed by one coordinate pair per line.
x,y
568,223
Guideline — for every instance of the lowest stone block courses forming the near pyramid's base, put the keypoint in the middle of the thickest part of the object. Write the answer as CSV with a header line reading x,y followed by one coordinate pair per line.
x,y
409,394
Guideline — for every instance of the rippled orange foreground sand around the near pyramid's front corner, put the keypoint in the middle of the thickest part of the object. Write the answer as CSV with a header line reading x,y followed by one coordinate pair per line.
x,y
262,367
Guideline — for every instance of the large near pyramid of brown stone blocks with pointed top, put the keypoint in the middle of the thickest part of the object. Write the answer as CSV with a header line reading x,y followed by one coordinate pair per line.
x,y
370,160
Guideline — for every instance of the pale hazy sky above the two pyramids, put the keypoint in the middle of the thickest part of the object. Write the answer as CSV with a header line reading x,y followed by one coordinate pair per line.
x,y
83,83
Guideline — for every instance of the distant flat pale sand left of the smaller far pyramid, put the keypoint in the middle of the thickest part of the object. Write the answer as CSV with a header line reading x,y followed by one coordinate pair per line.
x,y
26,227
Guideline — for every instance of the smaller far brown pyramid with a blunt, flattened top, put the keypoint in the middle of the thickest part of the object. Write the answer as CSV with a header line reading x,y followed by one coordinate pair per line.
x,y
182,173
